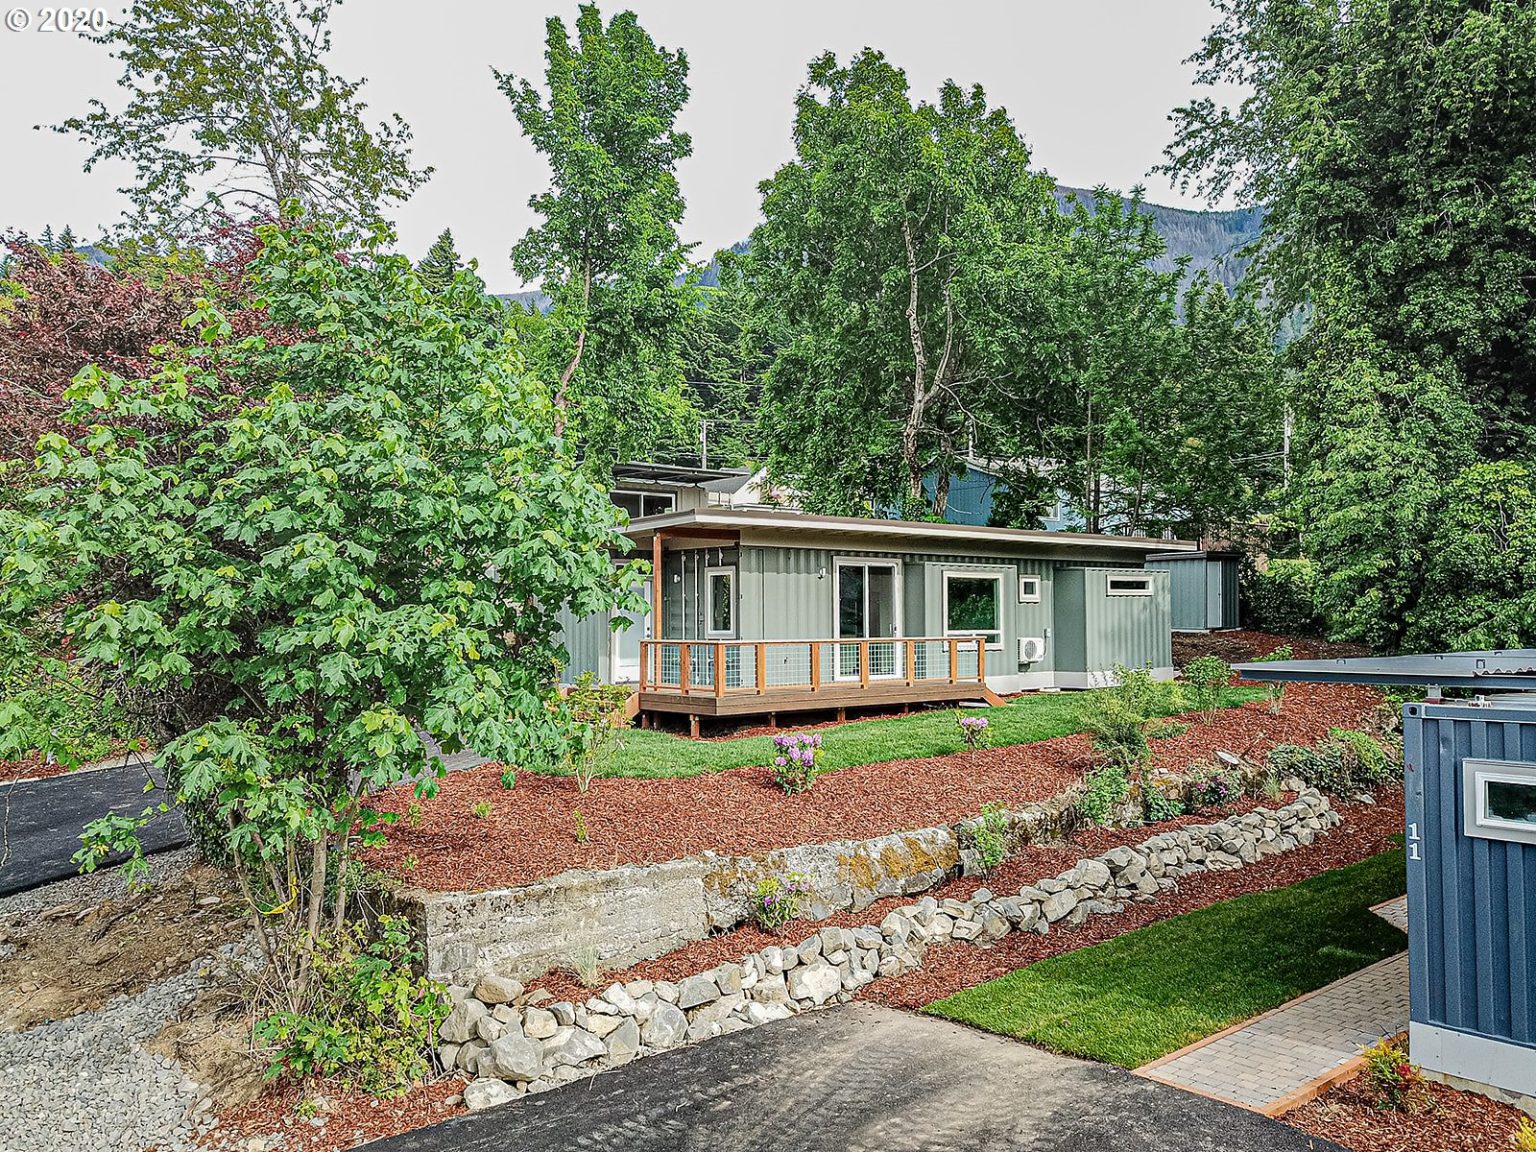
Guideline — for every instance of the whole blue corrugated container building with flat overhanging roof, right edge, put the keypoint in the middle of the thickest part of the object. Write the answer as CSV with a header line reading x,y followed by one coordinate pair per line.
x,y
1471,835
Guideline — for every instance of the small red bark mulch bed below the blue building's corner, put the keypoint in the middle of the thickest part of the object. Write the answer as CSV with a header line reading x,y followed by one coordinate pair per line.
x,y
1449,1122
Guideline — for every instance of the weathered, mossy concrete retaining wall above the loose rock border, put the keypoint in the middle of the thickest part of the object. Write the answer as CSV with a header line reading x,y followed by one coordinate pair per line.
x,y
620,916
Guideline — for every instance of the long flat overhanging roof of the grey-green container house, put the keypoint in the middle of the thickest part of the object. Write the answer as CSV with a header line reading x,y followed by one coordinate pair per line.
x,y
783,521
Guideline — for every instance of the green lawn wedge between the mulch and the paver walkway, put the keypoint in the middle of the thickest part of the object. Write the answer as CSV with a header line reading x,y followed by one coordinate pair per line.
x,y
1153,991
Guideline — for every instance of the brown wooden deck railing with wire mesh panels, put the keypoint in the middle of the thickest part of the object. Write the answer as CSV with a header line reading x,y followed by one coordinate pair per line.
x,y
732,667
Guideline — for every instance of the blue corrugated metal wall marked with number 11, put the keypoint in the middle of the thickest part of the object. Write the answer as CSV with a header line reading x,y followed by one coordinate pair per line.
x,y
1472,902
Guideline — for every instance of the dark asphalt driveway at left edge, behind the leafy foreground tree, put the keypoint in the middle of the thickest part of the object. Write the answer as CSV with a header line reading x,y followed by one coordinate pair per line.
x,y
41,821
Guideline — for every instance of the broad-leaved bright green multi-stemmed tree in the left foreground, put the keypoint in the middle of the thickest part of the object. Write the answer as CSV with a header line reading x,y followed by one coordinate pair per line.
x,y
308,548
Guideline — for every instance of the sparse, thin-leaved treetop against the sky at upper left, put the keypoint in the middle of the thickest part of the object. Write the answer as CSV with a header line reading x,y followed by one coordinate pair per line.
x,y
234,101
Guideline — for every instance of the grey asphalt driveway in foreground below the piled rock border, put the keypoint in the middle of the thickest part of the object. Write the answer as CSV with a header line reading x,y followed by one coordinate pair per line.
x,y
862,1079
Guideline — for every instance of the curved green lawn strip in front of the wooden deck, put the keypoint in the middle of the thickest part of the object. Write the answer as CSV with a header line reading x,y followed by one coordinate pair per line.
x,y
649,753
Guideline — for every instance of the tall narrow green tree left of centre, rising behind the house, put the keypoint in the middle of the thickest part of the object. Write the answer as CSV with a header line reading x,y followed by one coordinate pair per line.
x,y
607,250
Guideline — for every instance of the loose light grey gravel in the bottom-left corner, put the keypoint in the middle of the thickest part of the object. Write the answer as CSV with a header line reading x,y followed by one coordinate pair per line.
x,y
88,1082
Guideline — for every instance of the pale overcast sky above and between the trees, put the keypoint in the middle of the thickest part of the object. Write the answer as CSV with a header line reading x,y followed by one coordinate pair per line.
x,y
1088,82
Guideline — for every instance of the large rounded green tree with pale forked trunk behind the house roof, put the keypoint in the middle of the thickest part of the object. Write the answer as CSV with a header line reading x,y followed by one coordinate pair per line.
x,y
899,254
